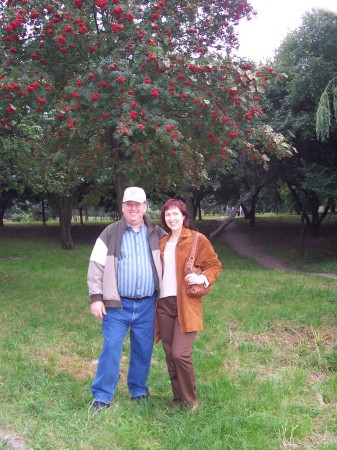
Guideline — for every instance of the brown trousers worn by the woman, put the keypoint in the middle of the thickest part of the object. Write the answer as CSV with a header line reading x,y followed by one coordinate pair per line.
x,y
178,350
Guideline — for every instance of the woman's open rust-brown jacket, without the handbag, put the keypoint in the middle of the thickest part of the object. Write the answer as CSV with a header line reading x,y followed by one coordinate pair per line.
x,y
190,309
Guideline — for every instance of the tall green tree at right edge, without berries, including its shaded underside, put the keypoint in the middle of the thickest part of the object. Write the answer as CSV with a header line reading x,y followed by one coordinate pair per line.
x,y
309,59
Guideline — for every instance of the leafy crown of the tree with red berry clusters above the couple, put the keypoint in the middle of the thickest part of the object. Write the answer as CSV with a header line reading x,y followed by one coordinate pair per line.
x,y
139,91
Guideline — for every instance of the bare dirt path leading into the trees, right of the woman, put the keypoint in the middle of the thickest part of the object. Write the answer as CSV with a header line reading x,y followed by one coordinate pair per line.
x,y
242,244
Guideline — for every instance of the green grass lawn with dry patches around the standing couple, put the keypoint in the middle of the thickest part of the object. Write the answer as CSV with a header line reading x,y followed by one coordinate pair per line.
x,y
266,363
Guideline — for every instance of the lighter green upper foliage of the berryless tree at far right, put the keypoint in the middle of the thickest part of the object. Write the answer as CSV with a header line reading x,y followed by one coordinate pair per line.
x,y
308,59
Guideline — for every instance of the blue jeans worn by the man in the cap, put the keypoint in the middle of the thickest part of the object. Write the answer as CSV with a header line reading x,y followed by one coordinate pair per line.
x,y
138,315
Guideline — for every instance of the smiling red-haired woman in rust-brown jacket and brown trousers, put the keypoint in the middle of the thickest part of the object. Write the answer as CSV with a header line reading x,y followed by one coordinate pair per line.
x,y
179,316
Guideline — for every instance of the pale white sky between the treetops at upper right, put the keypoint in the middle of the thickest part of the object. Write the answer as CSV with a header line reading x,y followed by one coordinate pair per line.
x,y
260,36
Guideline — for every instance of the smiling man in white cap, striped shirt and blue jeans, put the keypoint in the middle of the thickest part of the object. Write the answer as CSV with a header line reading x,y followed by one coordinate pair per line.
x,y
123,280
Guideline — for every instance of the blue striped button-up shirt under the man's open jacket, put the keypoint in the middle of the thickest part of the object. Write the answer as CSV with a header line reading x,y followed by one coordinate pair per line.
x,y
135,272
